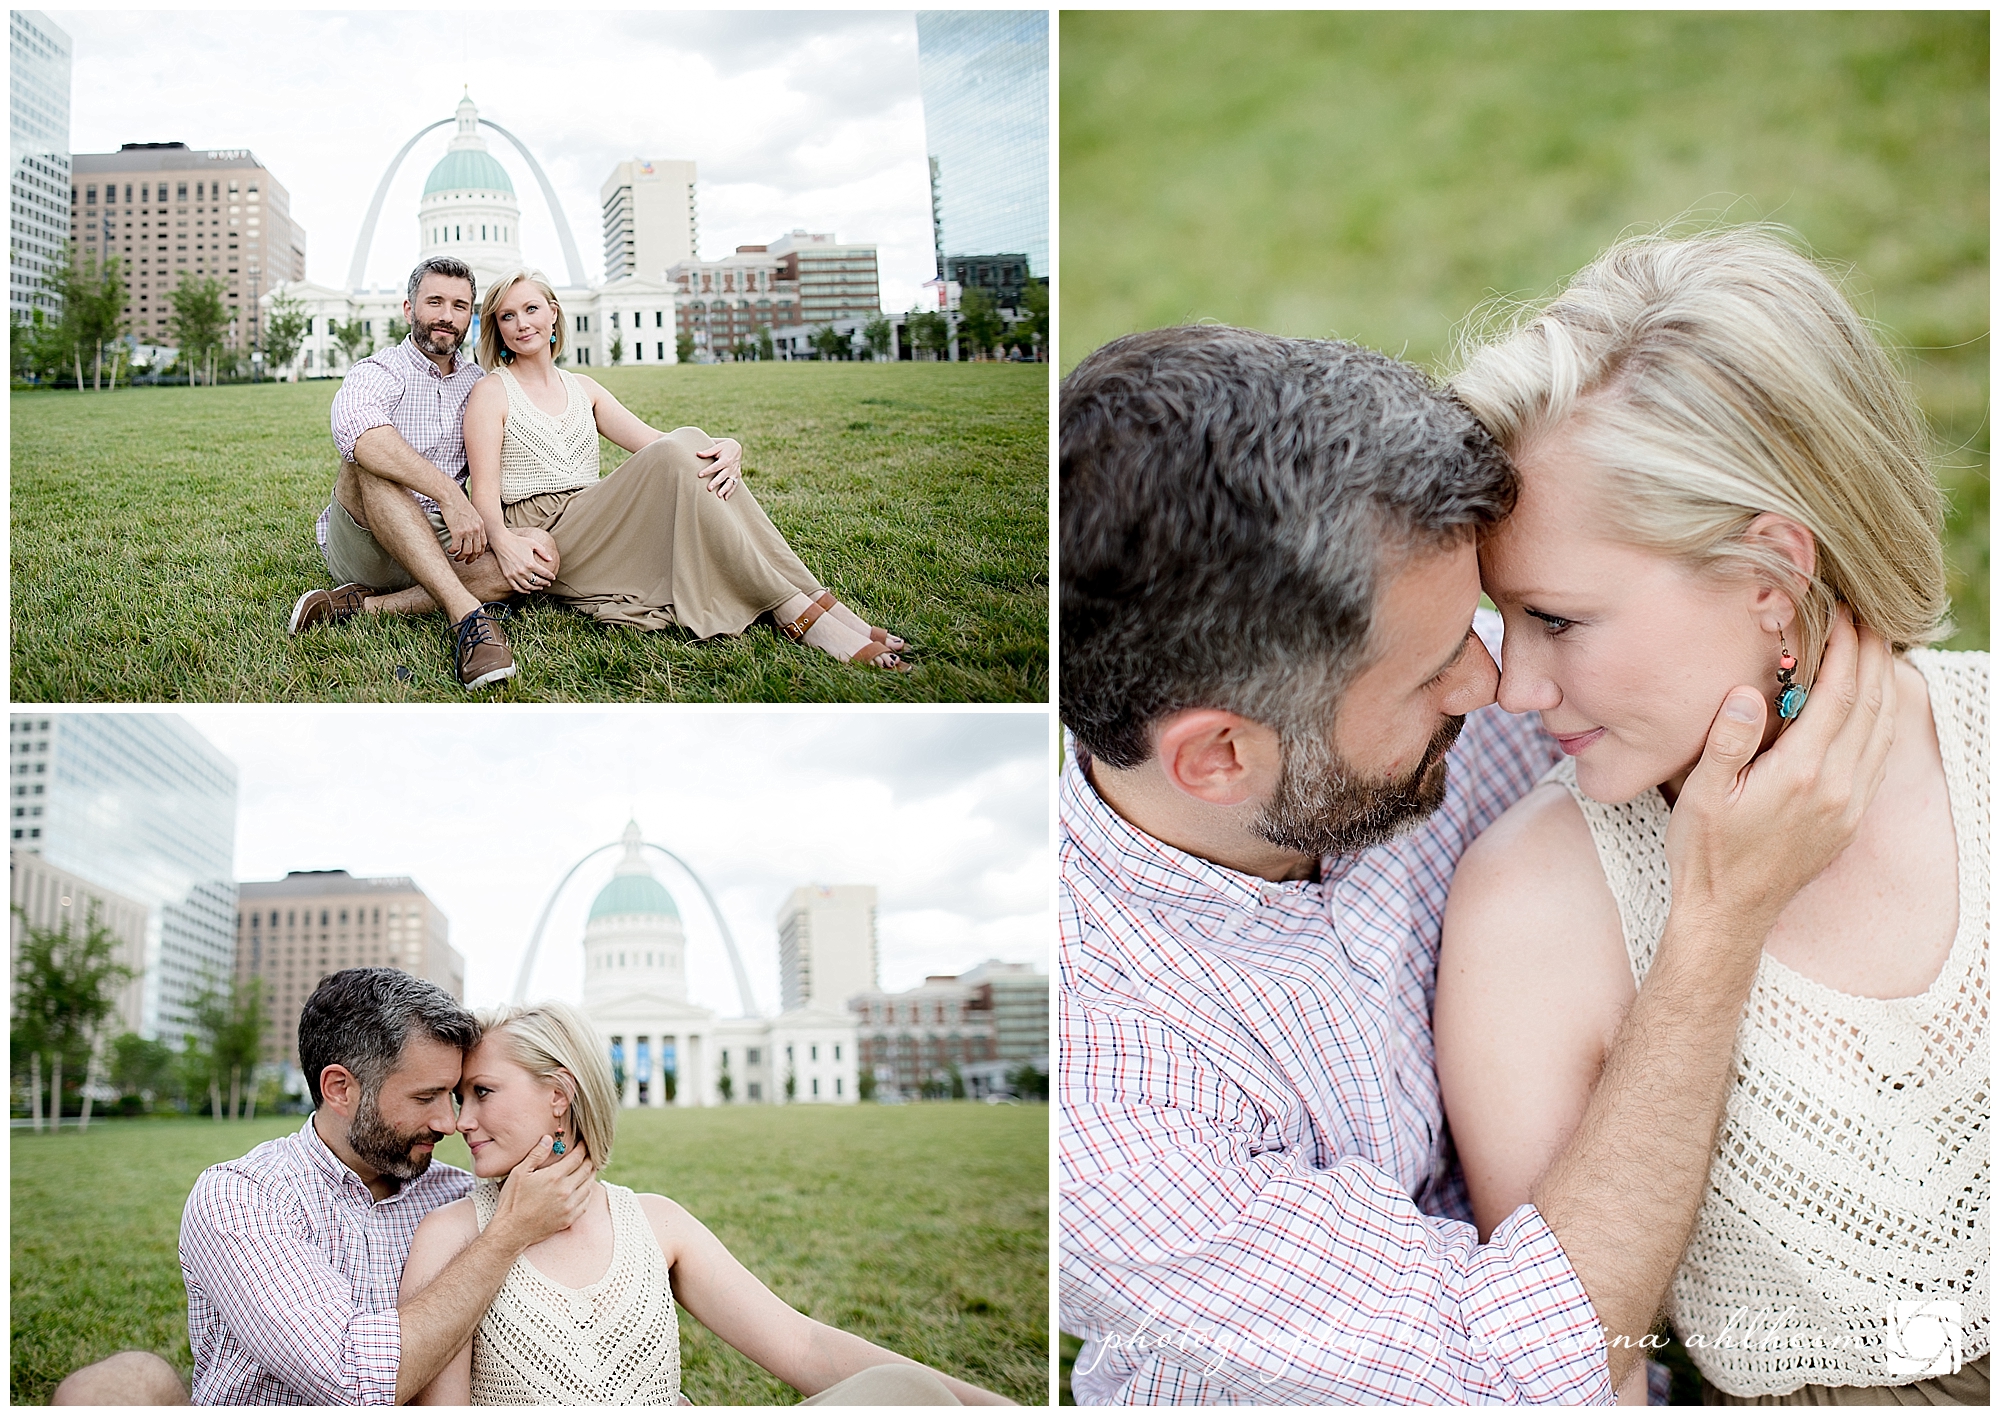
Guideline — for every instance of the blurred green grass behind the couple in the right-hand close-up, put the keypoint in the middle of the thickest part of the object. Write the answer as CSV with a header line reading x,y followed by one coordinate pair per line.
x,y
1377,177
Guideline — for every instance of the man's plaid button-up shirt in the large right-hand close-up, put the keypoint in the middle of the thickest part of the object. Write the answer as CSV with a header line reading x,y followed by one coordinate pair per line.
x,y
1259,1203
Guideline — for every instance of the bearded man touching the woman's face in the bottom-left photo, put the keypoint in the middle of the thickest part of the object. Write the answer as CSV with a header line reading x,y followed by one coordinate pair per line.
x,y
293,1253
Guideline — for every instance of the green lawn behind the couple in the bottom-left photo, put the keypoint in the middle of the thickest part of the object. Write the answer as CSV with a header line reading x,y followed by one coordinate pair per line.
x,y
919,1227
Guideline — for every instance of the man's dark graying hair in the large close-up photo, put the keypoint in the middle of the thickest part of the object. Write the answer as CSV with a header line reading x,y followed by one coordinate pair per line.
x,y
1229,501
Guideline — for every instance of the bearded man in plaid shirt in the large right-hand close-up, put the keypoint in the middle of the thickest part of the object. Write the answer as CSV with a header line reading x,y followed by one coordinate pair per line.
x,y
1269,587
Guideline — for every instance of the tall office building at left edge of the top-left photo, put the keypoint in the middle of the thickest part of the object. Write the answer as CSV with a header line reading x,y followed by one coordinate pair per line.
x,y
39,61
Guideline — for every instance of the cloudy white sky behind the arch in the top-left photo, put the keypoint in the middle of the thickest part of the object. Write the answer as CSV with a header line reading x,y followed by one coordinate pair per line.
x,y
795,119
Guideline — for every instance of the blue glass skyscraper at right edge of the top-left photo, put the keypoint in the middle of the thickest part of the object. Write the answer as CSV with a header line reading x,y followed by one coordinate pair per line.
x,y
985,77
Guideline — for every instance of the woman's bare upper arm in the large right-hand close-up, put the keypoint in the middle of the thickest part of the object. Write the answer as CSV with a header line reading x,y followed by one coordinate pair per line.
x,y
1533,983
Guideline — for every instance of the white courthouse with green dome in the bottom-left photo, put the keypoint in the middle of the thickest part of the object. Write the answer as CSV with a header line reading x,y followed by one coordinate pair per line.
x,y
669,1051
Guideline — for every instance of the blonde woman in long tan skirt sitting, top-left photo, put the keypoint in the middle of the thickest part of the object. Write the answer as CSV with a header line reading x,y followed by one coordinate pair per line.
x,y
673,537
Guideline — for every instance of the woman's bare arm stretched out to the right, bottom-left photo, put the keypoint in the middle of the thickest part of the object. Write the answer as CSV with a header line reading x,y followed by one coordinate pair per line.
x,y
755,1321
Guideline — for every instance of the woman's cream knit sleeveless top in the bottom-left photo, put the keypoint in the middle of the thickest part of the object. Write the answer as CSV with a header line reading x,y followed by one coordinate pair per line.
x,y
615,1343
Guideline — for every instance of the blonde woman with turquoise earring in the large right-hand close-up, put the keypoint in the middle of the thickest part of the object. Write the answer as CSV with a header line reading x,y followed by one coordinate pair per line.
x,y
1717,459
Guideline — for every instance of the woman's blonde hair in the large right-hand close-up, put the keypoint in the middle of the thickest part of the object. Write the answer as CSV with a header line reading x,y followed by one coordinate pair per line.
x,y
1719,377
